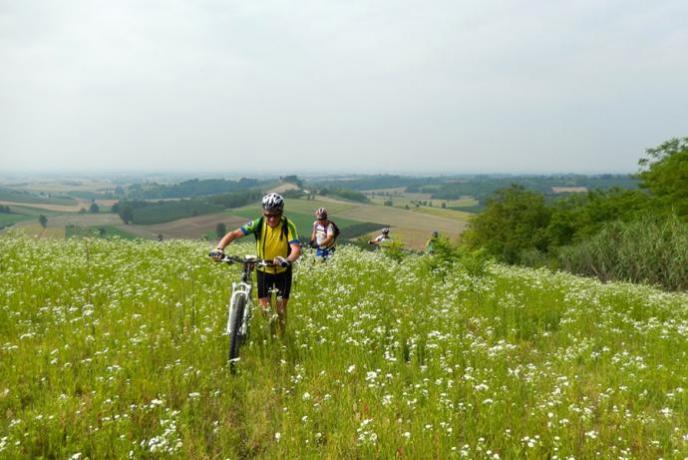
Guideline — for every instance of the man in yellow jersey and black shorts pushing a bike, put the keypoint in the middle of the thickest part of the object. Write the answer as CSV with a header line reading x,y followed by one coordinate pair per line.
x,y
276,240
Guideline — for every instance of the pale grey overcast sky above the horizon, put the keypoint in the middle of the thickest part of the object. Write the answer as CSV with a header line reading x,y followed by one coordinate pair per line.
x,y
340,86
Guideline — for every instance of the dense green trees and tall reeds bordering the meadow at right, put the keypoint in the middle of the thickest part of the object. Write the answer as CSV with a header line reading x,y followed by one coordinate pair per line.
x,y
638,235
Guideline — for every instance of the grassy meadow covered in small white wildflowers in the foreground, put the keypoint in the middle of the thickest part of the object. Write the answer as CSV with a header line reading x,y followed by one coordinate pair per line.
x,y
114,349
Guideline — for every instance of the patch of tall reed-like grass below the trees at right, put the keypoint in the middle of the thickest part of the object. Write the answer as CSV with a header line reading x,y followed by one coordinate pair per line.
x,y
651,250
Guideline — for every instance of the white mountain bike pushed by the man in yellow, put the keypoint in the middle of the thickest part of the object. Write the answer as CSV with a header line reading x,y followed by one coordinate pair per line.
x,y
240,309
